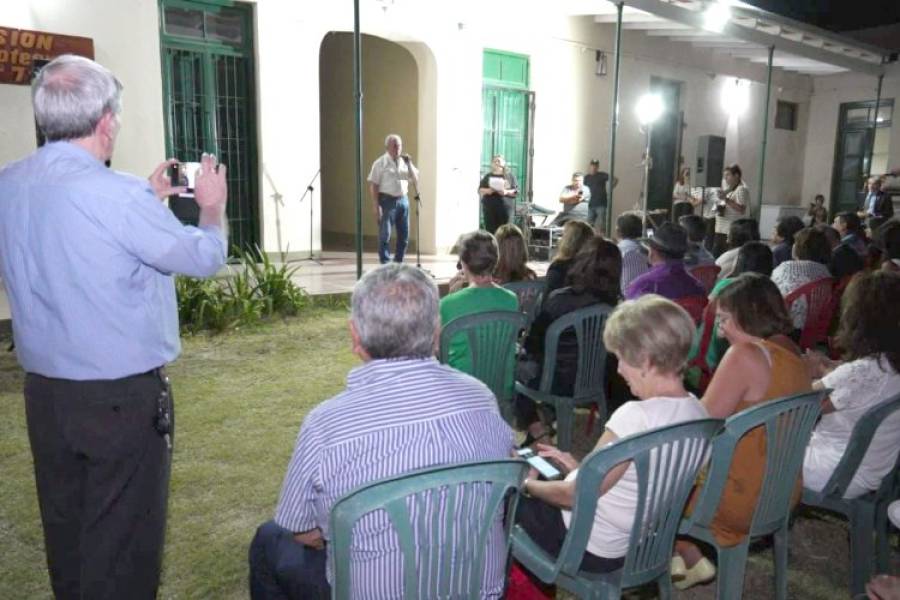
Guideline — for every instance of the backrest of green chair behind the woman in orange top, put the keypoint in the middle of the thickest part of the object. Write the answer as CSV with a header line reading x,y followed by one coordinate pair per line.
x,y
788,424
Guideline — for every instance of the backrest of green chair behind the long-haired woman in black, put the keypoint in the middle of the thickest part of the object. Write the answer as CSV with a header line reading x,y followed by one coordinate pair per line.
x,y
590,377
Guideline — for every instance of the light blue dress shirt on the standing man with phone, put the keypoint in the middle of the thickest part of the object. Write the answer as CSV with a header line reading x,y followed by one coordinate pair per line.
x,y
87,256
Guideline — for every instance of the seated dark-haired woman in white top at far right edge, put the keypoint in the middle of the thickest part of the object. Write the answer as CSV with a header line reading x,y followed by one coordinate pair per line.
x,y
868,333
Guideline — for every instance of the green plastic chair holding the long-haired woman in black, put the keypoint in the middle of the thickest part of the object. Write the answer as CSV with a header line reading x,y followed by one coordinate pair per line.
x,y
590,377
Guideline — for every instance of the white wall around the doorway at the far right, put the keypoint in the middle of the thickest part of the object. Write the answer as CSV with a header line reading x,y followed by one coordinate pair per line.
x,y
828,95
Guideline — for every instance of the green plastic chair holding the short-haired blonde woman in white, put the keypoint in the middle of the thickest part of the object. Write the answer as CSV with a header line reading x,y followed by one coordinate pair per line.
x,y
667,461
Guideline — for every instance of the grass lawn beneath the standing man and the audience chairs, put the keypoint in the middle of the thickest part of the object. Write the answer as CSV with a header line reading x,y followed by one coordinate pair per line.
x,y
240,399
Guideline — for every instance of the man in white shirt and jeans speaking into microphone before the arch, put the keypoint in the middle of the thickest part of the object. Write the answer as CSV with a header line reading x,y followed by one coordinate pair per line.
x,y
388,184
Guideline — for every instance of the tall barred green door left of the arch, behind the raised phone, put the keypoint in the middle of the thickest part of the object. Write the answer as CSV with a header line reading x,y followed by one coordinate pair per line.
x,y
208,97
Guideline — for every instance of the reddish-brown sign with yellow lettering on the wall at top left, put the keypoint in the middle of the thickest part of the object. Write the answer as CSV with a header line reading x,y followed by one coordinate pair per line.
x,y
19,48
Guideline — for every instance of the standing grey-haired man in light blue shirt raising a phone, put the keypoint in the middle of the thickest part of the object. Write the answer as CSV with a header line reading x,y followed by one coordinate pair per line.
x,y
87,255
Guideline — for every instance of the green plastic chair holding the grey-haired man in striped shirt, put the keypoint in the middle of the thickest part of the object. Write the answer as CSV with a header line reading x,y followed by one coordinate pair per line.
x,y
443,517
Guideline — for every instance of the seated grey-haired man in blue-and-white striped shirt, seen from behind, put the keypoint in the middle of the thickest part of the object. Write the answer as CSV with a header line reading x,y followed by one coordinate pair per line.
x,y
401,411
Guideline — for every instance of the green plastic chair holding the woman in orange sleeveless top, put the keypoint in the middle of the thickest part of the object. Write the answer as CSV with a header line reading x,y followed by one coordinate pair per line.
x,y
789,423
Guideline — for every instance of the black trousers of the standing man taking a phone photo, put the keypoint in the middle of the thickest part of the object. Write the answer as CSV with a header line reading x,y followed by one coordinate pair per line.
x,y
102,473
